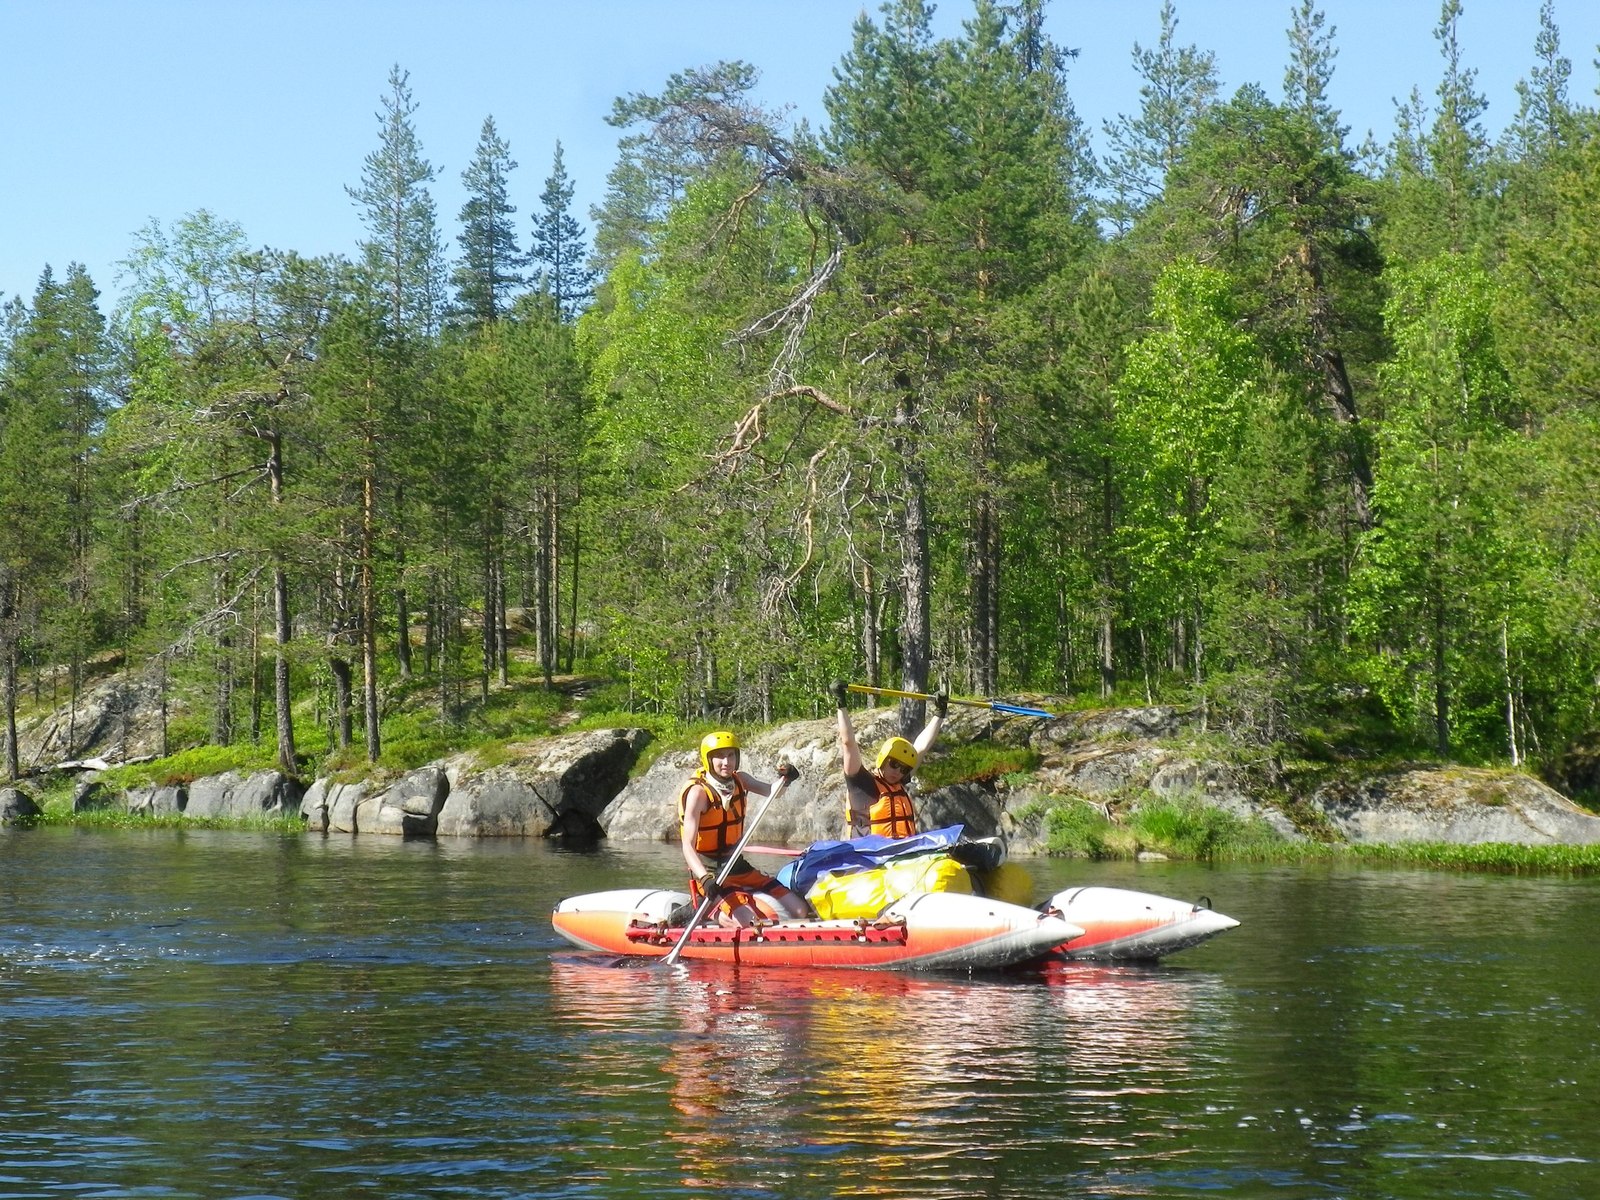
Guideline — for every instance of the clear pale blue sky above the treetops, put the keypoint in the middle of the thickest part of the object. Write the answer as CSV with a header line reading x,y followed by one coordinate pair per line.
x,y
114,113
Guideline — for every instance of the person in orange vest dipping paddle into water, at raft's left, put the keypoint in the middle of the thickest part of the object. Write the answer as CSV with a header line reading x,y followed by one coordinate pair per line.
x,y
711,818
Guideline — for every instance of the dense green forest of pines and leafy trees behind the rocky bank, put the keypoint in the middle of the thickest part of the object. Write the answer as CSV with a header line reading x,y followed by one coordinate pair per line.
x,y
1234,414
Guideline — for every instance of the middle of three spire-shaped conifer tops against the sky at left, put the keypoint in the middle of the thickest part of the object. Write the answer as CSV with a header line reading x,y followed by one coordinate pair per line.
x,y
490,263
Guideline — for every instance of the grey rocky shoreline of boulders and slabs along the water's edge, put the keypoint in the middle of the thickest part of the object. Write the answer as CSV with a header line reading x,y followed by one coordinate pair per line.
x,y
583,788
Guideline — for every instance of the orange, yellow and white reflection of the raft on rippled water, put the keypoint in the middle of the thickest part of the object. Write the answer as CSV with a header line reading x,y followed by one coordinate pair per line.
x,y
890,1078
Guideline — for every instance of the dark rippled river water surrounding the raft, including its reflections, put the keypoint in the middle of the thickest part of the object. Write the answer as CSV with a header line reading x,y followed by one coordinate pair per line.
x,y
241,1015
